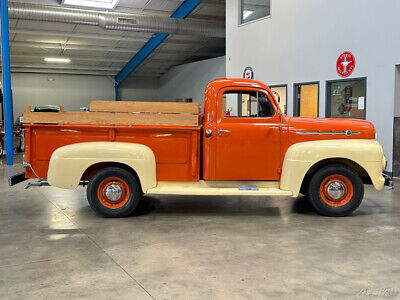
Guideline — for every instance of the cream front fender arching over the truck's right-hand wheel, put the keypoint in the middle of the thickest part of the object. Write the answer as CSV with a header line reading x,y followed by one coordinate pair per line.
x,y
301,157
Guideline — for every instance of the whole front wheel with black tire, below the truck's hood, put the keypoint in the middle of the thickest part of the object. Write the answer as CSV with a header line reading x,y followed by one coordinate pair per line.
x,y
335,190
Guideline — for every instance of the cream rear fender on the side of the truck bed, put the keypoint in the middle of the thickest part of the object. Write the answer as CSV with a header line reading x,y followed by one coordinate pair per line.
x,y
68,163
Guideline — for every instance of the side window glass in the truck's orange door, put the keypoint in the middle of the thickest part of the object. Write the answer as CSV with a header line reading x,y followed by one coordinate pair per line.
x,y
246,104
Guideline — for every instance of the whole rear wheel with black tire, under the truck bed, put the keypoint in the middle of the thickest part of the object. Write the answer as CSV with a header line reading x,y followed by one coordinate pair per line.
x,y
113,192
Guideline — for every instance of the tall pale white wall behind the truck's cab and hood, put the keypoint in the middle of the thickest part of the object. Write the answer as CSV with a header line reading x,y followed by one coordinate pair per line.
x,y
302,40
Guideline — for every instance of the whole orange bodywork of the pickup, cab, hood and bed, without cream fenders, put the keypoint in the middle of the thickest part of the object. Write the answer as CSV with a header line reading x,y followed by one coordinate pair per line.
x,y
254,149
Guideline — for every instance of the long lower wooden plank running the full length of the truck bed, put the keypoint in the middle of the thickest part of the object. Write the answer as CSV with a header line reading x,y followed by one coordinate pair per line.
x,y
109,118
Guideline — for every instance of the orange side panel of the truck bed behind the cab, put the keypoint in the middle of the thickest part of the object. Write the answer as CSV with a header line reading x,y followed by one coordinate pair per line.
x,y
176,148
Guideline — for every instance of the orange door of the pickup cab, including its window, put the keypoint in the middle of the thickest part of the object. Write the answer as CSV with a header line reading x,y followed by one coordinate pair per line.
x,y
248,135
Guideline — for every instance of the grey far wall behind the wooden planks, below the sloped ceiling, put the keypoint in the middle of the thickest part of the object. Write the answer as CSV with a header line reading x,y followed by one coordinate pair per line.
x,y
76,91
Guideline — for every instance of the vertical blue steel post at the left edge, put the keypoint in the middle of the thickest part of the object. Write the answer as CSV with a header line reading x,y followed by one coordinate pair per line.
x,y
5,58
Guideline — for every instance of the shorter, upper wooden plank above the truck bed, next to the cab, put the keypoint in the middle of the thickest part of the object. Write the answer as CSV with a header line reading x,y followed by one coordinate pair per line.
x,y
145,107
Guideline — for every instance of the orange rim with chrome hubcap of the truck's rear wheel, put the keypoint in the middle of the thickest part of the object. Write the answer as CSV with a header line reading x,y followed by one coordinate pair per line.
x,y
113,192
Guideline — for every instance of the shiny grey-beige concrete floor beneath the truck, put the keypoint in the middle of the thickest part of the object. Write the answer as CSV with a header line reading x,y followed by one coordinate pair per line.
x,y
52,245
